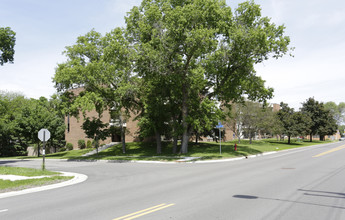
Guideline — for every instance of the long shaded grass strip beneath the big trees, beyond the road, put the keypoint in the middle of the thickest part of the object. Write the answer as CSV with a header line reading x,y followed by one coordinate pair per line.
x,y
205,151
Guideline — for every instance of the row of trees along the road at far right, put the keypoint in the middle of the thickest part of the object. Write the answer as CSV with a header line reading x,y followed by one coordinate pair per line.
x,y
314,118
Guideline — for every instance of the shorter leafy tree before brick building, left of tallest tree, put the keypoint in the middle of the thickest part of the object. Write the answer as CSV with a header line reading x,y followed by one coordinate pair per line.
x,y
103,67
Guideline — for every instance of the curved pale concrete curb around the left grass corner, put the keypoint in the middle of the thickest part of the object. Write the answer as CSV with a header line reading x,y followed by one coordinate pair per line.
x,y
78,178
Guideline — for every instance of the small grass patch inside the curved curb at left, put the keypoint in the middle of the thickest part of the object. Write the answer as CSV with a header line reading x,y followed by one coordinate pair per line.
x,y
8,185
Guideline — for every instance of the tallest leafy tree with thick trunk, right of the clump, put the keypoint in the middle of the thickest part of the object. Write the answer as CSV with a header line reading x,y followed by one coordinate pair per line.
x,y
204,49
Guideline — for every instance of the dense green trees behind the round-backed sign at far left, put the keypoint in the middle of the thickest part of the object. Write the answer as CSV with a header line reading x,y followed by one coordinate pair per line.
x,y
21,119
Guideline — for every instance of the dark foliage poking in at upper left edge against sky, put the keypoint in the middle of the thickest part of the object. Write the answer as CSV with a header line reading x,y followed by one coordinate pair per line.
x,y
7,42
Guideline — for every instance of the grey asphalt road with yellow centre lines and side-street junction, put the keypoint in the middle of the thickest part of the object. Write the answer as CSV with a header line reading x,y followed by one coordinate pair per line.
x,y
306,183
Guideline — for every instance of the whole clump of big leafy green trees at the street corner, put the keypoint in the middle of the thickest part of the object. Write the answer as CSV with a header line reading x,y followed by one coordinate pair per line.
x,y
176,61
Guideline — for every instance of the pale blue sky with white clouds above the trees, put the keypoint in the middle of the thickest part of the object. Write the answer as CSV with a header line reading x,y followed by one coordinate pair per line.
x,y
45,27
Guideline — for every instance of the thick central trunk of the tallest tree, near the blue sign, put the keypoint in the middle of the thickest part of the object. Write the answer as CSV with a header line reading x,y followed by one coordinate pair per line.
x,y
185,135
